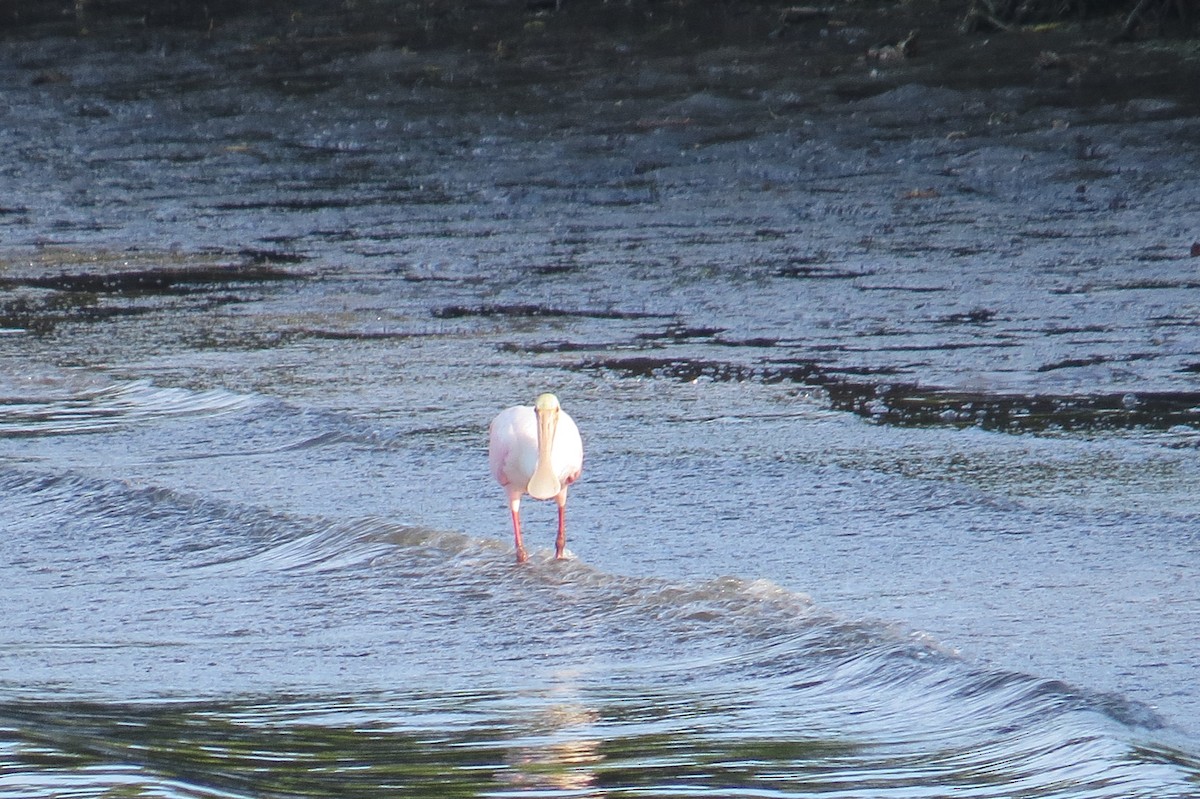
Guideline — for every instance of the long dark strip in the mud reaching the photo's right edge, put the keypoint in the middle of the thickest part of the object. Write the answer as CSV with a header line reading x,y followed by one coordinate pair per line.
x,y
909,405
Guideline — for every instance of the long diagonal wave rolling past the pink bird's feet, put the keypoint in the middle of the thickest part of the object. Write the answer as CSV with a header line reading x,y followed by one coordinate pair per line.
x,y
731,628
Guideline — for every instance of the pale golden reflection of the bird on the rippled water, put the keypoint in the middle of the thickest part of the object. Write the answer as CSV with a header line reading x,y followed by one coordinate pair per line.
x,y
560,754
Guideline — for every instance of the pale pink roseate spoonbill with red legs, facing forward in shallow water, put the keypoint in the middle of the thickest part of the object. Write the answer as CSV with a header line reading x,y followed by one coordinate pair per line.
x,y
536,452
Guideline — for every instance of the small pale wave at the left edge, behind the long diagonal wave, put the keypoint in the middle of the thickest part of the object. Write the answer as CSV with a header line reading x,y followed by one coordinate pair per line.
x,y
53,407
